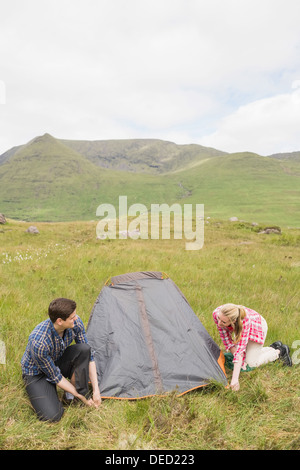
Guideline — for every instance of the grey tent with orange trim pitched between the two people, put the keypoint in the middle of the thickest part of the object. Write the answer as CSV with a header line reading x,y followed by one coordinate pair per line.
x,y
148,341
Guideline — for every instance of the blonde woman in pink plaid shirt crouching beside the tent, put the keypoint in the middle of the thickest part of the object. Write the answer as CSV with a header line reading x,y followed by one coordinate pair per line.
x,y
250,331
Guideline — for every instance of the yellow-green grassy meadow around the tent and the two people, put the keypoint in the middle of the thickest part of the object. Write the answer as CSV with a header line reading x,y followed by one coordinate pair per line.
x,y
236,264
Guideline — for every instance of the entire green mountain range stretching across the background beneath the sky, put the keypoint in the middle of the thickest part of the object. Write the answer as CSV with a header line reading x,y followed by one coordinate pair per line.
x,y
51,179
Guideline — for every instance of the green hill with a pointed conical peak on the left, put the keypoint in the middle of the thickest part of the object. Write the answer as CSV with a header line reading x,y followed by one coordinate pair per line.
x,y
48,181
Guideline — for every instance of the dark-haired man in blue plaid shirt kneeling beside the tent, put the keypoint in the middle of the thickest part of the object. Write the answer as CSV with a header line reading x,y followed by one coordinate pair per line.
x,y
49,358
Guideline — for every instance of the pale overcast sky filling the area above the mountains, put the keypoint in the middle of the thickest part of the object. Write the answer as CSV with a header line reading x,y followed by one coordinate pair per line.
x,y
219,73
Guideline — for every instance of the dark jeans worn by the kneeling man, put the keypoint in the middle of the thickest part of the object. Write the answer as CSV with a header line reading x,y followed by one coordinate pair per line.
x,y
43,394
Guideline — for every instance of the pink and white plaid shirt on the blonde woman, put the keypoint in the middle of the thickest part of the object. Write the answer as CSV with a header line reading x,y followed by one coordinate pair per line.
x,y
252,331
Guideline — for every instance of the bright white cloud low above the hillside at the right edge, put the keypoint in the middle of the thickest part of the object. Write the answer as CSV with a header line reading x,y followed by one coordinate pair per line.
x,y
265,126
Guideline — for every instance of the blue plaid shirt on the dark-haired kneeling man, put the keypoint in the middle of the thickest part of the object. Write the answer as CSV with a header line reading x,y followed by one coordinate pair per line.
x,y
45,347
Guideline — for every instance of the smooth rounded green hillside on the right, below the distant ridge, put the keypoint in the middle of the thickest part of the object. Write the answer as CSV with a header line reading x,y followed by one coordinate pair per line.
x,y
248,186
